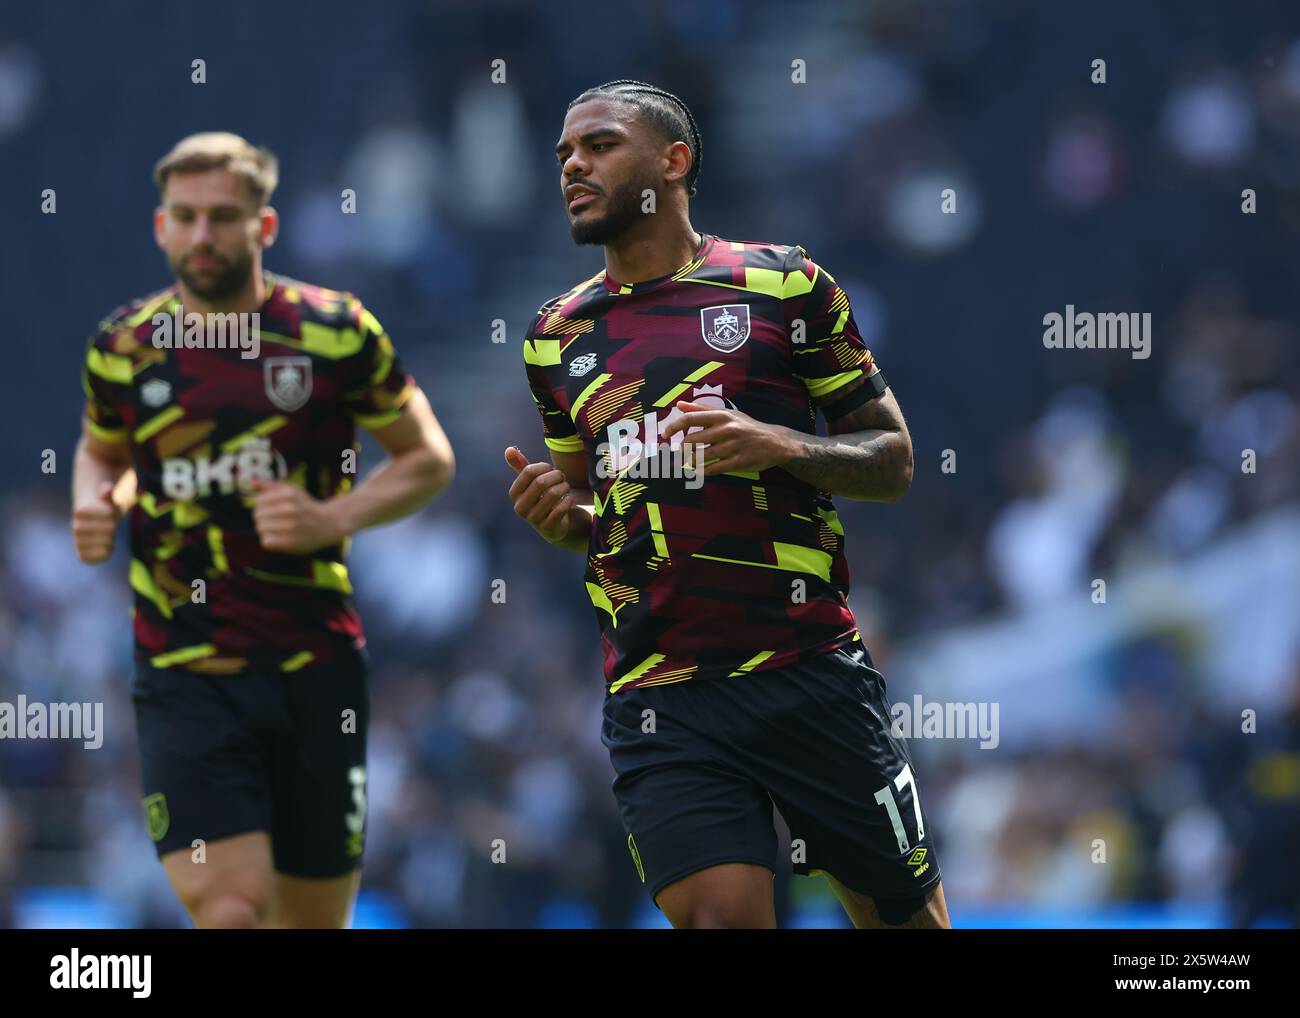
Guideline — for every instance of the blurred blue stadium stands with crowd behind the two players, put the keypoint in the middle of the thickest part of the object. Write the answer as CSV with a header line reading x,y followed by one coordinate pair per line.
x,y
1119,721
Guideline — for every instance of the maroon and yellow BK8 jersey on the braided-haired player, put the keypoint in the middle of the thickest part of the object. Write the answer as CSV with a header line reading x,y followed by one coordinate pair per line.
x,y
743,571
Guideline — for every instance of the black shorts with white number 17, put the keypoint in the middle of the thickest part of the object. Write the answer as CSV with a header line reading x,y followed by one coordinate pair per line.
x,y
813,738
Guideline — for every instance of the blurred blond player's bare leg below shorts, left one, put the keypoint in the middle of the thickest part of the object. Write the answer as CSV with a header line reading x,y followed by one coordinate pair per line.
x,y
227,882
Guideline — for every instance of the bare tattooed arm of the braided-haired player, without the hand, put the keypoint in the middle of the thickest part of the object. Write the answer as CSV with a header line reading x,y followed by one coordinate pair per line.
x,y
866,456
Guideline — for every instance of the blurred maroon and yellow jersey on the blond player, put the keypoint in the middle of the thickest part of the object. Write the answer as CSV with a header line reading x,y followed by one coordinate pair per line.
x,y
205,423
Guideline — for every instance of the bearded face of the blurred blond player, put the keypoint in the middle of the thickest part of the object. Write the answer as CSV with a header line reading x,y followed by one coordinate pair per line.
x,y
211,232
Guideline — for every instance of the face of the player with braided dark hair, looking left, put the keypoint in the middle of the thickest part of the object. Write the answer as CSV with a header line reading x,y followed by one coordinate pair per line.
x,y
608,153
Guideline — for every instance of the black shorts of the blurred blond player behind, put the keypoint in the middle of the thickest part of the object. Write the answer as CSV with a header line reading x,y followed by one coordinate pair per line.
x,y
261,751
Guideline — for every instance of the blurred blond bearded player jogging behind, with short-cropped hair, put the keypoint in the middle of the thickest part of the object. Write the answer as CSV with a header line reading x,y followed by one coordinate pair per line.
x,y
229,406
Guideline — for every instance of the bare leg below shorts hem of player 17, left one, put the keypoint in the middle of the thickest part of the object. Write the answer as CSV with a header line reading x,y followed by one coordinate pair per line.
x,y
733,896
